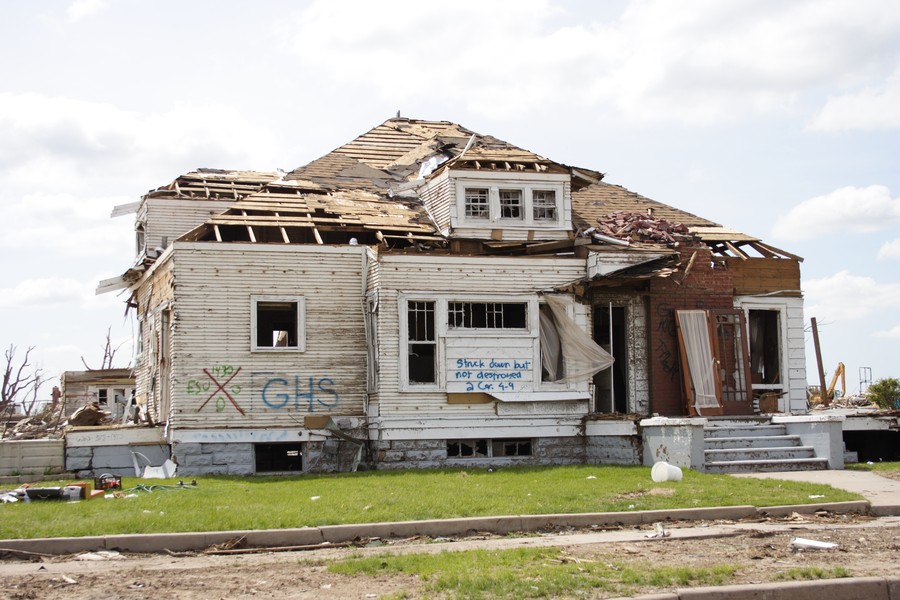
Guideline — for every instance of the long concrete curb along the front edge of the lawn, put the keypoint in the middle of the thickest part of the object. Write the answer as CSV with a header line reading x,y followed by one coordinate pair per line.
x,y
310,536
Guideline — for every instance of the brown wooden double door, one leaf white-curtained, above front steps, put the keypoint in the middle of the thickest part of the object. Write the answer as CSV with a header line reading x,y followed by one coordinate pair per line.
x,y
715,362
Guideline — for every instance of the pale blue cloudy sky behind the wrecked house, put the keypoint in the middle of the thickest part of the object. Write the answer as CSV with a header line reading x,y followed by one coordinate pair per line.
x,y
780,119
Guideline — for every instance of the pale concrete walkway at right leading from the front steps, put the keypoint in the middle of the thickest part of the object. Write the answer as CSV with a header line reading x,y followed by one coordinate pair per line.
x,y
882,493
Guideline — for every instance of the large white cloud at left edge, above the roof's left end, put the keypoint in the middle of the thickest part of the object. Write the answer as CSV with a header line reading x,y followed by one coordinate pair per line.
x,y
63,144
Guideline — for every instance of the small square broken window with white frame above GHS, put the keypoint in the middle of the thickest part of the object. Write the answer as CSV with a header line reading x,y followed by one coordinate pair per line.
x,y
278,324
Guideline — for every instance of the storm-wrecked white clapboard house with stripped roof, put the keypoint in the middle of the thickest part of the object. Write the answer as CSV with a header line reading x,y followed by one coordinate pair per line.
x,y
425,295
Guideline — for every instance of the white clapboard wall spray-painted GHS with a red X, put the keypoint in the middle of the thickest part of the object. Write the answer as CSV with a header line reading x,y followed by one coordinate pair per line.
x,y
214,285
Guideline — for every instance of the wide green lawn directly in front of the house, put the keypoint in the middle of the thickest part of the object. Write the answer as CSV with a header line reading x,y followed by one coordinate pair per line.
x,y
227,503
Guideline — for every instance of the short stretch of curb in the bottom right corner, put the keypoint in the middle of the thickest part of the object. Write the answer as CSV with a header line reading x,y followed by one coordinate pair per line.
x,y
852,588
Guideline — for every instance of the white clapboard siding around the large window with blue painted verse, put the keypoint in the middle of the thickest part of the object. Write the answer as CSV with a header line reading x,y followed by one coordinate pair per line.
x,y
462,277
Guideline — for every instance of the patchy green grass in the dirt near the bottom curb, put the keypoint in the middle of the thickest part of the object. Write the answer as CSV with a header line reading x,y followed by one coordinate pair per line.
x,y
526,573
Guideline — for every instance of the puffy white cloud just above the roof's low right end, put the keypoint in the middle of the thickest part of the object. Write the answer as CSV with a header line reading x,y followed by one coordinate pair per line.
x,y
847,209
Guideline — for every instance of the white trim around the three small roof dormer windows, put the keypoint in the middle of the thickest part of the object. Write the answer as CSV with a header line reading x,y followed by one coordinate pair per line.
x,y
494,186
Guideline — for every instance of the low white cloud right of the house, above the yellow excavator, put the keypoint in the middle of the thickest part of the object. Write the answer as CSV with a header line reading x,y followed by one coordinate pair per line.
x,y
848,297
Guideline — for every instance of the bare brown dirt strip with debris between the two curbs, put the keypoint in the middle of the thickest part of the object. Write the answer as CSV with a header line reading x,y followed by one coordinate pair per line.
x,y
760,551
